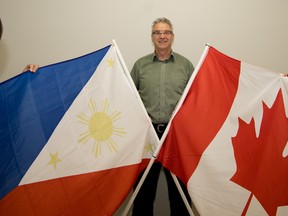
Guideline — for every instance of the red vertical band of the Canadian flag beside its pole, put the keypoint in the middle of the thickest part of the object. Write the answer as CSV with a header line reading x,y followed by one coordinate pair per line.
x,y
201,115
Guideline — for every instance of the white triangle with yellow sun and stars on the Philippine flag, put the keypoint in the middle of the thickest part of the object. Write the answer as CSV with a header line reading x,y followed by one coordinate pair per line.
x,y
104,128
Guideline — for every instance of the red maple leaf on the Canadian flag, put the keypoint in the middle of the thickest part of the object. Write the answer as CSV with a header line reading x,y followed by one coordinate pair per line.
x,y
261,166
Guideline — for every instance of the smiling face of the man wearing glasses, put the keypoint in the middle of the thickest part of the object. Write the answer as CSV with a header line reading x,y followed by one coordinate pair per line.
x,y
162,36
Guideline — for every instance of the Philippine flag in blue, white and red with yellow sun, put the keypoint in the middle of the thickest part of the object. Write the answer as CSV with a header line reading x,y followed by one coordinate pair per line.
x,y
73,138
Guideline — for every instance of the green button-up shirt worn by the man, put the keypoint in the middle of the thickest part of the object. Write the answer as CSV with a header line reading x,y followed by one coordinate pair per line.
x,y
161,83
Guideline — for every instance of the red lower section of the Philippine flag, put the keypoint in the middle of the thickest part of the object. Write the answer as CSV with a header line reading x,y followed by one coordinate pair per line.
x,y
99,193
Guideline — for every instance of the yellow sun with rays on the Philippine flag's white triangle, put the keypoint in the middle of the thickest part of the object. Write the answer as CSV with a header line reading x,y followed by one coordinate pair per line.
x,y
100,127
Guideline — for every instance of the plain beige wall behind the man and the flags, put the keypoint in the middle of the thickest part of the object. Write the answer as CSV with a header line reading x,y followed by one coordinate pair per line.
x,y
46,32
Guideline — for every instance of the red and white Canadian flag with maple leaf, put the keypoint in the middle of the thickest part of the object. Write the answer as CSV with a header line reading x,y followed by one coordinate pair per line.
x,y
227,140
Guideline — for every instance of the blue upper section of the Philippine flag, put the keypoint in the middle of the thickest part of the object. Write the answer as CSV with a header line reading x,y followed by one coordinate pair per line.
x,y
31,106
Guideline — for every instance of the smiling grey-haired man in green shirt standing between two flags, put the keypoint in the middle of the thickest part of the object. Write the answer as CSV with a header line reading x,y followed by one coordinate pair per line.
x,y
160,79
